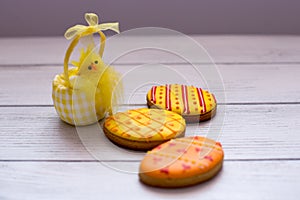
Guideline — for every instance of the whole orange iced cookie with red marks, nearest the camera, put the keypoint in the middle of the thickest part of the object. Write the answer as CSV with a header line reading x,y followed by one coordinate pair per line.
x,y
182,162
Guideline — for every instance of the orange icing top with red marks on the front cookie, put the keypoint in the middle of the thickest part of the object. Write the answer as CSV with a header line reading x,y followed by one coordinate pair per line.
x,y
182,157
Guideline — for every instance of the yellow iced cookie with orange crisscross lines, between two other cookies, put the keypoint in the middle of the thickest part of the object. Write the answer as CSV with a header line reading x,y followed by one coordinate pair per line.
x,y
143,129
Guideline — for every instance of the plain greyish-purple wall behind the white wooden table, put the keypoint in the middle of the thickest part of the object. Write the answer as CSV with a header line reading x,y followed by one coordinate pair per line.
x,y
53,17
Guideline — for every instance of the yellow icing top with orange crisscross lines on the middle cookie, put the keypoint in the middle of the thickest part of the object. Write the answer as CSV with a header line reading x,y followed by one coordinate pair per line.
x,y
145,124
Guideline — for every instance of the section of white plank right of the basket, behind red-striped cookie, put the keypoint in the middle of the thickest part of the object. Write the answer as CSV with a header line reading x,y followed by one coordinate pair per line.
x,y
230,84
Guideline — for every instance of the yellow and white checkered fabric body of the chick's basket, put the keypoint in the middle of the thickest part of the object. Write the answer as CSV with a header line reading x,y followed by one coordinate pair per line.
x,y
73,106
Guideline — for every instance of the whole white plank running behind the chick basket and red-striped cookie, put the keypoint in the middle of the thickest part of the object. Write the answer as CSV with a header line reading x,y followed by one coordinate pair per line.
x,y
242,83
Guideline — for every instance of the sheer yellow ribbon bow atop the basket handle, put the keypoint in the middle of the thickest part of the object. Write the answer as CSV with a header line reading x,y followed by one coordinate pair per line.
x,y
93,27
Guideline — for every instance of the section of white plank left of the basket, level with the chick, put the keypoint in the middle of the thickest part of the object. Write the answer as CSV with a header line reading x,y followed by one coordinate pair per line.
x,y
26,86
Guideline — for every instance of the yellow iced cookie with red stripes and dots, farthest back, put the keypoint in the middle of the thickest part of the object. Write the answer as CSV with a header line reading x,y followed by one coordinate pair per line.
x,y
194,104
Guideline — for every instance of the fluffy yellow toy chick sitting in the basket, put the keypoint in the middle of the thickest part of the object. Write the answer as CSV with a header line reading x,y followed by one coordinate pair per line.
x,y
100,82
